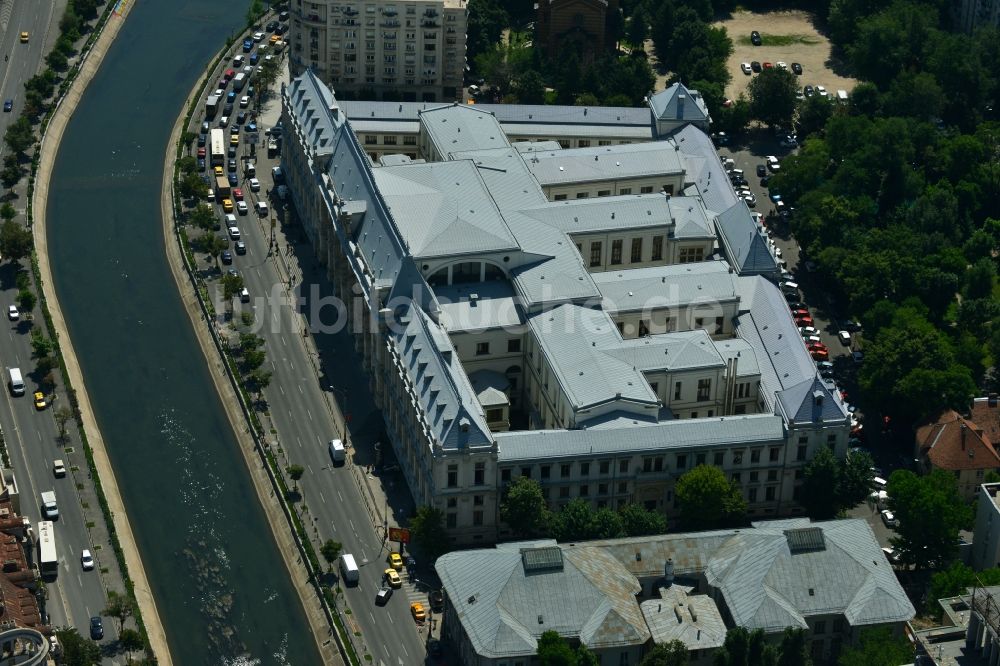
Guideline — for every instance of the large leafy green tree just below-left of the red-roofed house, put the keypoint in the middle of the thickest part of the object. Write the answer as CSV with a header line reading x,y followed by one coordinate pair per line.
x,y
930,513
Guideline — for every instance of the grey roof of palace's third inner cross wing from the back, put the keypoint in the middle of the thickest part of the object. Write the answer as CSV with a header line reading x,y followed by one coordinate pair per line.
x,y
672,286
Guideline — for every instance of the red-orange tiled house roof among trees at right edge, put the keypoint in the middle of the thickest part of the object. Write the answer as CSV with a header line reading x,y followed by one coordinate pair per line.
x,y
955,443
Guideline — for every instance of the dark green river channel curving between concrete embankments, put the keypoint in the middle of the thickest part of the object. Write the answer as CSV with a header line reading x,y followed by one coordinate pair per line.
x,y
222,591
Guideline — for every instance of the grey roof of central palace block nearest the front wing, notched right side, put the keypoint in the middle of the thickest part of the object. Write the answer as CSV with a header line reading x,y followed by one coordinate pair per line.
x,y
574,339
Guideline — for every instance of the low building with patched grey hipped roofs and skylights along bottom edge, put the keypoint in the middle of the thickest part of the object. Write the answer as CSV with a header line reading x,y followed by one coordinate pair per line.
x,y
621,597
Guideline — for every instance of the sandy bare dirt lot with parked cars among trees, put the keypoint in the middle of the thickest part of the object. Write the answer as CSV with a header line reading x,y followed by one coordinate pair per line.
x,y
793,38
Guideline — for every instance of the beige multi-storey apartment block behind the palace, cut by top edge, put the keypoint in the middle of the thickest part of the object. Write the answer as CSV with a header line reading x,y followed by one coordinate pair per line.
x,y
407,50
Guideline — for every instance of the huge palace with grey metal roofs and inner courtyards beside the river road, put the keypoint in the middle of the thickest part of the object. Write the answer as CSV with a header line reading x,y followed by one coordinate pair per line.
x,y
601,345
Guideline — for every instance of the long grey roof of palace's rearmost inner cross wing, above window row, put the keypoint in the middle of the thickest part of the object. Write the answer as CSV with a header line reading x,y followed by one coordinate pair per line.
x,y
601,163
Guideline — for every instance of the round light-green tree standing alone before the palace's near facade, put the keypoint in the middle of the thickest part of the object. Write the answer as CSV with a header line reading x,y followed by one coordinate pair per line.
x,y
707,499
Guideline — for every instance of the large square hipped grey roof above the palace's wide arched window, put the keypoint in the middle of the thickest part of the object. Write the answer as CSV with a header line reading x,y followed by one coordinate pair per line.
x,y
447,208
